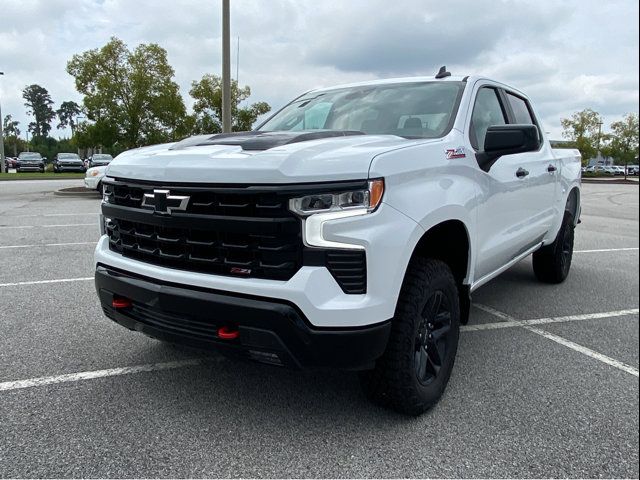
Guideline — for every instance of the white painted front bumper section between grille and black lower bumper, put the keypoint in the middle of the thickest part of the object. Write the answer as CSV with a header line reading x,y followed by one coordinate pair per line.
x,y
388,236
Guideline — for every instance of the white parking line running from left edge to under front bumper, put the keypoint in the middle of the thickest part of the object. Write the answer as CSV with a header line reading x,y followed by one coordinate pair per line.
x,y
111,372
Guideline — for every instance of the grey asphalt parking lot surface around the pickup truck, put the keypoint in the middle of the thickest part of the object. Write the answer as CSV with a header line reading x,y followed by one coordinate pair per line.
x,y
545,383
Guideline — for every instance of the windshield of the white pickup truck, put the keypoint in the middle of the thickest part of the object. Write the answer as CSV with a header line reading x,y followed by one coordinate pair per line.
x,y
411,110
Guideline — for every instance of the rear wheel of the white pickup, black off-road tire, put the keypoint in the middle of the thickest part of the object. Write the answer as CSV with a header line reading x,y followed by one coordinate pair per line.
x,y
551,264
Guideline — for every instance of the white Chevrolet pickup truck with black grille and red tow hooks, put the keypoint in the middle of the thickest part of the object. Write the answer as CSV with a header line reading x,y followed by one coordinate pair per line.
x,y
347,231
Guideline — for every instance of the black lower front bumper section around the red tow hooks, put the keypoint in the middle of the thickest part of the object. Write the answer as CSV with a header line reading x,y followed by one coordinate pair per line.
x,y
270,331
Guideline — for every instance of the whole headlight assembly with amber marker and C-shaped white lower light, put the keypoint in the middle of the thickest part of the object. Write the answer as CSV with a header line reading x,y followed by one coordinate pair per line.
x,y
318,209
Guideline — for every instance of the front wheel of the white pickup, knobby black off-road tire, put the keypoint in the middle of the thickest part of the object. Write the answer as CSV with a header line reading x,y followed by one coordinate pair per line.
x,y
414,370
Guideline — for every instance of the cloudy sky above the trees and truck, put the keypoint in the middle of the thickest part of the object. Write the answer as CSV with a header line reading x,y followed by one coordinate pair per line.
x,y
567,55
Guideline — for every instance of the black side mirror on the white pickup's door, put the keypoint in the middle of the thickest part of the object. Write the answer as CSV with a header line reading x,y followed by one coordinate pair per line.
x,y
506,140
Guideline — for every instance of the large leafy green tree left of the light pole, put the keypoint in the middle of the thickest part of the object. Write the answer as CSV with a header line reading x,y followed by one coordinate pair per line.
x,y
129,91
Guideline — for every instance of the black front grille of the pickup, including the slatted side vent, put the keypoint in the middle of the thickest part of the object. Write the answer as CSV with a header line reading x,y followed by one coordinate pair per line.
x,y
239,231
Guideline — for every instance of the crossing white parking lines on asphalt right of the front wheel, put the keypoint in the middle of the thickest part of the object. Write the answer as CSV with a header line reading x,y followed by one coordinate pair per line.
x,y
526,324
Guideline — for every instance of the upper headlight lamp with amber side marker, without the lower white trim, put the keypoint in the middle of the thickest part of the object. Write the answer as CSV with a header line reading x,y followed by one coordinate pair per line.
x,y
368,199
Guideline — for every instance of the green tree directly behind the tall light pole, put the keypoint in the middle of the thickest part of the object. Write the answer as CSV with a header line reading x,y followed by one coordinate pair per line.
x,y
207,93
